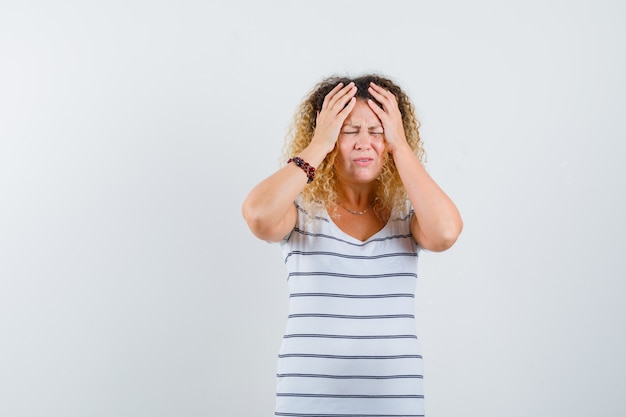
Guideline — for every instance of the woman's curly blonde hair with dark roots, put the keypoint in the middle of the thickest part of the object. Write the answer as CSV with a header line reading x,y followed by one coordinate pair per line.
x,y
390,192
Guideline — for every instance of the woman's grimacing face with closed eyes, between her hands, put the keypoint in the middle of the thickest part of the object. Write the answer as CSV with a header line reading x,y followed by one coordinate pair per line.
x,y
361,146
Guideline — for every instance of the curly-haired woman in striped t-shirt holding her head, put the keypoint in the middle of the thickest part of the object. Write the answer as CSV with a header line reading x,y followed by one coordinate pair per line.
x,y
352,208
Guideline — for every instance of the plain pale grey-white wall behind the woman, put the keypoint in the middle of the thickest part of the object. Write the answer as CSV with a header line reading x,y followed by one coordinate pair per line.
x,y
131,131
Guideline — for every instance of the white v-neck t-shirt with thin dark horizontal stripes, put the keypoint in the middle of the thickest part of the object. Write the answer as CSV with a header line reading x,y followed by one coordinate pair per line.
x,y
350,346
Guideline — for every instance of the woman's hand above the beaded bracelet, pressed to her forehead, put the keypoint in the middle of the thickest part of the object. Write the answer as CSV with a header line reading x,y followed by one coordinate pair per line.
x,y
337,105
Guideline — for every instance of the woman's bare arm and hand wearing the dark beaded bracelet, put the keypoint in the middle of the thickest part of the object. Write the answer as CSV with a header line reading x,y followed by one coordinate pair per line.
x,y
268,209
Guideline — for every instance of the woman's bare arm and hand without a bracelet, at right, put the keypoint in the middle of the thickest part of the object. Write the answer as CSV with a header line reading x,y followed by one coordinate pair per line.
x,y
437,222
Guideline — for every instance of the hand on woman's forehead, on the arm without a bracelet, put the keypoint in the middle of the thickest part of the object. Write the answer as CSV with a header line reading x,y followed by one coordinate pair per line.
x,y
389,116
